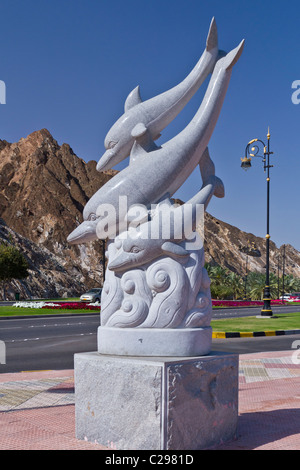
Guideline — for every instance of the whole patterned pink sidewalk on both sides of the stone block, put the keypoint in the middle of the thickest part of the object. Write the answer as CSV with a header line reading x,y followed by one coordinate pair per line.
x,y
37,410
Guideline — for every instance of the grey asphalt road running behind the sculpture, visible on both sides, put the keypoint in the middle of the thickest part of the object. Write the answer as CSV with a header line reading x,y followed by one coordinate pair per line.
x,y
35,343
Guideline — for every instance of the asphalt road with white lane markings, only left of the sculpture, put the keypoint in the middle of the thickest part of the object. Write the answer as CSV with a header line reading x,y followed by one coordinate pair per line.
x,y
34,343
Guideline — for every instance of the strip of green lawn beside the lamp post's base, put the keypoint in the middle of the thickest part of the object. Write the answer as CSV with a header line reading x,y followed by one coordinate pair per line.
x,y
286,321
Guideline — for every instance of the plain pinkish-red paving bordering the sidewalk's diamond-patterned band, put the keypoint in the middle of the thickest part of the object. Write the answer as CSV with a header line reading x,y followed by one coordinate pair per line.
x,y
269,416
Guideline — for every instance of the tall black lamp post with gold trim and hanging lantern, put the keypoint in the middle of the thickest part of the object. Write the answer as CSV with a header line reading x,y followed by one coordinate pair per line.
x,y
251,152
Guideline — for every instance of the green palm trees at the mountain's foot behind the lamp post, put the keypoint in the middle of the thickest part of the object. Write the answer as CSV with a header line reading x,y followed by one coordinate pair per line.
x,y
228,285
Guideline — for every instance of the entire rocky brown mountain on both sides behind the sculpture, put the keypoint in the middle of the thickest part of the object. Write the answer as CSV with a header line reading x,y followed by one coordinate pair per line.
x,y
43,189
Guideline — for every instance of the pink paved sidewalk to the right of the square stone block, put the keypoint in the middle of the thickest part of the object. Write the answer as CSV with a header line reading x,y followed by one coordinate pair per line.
x,y
269,403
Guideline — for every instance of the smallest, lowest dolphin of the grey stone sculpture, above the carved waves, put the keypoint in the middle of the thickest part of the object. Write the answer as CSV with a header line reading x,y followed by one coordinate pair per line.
x,y
138,247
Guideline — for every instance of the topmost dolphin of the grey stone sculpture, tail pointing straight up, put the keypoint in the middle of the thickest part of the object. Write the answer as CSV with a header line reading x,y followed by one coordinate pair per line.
x,y
157,113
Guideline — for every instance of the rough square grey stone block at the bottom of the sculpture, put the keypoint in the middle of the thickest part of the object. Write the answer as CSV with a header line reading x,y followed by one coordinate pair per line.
x,y
156,403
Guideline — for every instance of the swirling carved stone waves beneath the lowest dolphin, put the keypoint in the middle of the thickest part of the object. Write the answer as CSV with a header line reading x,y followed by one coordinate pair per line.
x,y
166,293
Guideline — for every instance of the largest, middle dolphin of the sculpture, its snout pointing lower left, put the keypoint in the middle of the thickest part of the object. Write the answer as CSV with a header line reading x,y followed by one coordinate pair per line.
x,y
156,173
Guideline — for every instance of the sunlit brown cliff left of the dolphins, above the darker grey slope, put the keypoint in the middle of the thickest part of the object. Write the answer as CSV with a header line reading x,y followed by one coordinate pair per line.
x,y
43,189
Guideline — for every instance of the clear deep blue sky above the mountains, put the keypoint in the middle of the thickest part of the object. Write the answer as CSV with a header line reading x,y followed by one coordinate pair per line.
x,y
69,65
